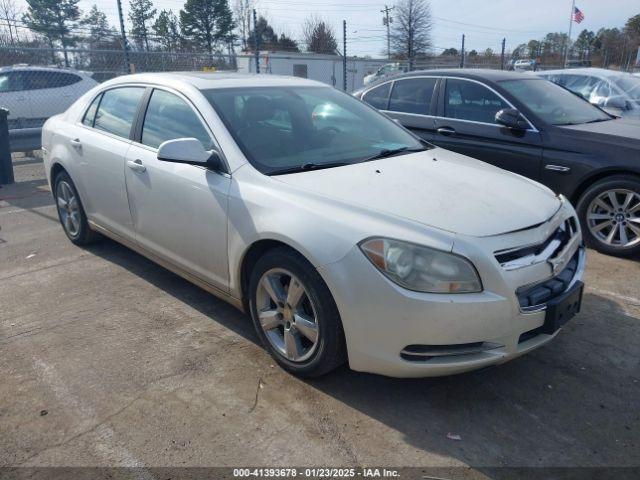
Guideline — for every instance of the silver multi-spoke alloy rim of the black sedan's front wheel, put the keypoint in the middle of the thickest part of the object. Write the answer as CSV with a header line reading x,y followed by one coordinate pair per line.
x,y
613,217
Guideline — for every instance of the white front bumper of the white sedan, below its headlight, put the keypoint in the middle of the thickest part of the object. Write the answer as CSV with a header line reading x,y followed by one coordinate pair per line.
x,y
466,331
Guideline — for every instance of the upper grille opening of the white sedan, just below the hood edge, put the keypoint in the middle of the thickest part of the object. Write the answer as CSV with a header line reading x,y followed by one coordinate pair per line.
x,y
514,258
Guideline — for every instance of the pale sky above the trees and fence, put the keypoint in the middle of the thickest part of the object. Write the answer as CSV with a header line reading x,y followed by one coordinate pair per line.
x,y
484,22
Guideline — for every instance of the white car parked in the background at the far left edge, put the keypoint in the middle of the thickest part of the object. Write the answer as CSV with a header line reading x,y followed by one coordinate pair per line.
x,y
33,94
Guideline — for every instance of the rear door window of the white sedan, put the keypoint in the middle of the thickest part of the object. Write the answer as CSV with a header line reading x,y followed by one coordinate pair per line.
x,y
117,109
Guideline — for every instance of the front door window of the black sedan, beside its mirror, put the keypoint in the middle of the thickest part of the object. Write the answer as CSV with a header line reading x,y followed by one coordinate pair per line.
x,y
467,100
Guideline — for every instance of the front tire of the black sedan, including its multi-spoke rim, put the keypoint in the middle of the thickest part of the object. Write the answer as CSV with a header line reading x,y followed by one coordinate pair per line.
x,y
609,212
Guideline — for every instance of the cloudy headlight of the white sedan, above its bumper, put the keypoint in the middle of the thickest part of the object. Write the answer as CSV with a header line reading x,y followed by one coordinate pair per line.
x,y
422,269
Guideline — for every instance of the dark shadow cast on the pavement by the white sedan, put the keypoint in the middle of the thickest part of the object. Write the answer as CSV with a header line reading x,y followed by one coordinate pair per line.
x,y
560,405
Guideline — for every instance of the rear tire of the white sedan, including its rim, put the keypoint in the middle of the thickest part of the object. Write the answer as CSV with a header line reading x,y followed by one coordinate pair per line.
x,y
71,212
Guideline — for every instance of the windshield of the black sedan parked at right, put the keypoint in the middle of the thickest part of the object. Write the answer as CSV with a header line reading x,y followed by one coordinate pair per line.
x,y
552,103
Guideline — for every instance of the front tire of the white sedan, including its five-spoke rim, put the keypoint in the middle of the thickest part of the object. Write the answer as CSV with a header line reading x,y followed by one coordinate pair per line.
x,y
295,315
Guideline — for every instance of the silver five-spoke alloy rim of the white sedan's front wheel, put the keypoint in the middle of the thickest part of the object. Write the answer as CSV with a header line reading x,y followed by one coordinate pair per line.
x,y
287,315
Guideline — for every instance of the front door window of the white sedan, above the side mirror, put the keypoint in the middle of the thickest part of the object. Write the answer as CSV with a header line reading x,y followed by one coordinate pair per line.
x,y
169,117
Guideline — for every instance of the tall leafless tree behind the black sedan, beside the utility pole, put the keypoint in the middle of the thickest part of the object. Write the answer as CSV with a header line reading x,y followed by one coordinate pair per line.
x,y
411,34
